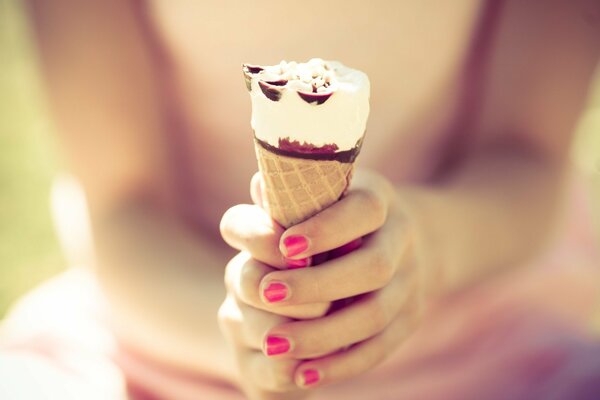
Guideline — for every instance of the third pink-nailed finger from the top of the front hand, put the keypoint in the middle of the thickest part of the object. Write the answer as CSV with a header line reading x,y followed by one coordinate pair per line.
x,y
364,318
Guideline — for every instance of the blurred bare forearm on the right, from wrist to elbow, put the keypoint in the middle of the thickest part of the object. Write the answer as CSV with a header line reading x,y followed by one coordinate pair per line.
x,y
493,213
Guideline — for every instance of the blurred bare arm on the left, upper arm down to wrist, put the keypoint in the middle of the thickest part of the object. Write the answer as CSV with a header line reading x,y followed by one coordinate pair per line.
x,y
163,280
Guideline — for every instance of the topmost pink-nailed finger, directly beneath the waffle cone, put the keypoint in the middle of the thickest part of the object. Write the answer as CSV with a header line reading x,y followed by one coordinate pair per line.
x,y
362,211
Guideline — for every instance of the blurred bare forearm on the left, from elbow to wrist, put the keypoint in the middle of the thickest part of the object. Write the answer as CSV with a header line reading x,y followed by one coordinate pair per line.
x,y
165,285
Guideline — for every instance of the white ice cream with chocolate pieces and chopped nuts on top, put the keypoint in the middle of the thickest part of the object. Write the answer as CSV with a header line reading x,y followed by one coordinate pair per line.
x,y
341,119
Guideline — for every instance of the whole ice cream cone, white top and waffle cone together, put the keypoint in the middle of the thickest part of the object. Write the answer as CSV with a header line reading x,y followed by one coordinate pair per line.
x,y
309,121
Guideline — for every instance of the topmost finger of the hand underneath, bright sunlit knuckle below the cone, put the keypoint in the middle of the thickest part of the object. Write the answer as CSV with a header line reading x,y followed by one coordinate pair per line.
x,y
249,228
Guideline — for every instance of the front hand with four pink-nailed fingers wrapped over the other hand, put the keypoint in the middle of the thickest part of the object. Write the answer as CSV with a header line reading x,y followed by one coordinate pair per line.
x,y
379,278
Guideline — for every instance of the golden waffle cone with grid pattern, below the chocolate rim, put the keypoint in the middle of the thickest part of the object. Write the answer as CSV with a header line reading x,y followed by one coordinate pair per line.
x,y
295,189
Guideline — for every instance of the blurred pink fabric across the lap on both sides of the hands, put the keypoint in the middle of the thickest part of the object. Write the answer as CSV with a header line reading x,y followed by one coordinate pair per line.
x,y
521,336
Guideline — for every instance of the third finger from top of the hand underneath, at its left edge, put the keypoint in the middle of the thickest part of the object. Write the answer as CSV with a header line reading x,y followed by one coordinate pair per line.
x,y
246,326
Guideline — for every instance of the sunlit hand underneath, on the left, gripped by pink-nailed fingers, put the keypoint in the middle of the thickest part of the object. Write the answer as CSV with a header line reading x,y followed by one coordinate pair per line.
x,y
245,316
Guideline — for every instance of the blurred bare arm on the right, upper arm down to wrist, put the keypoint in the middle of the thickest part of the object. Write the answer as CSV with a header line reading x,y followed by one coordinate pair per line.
x,y
496,208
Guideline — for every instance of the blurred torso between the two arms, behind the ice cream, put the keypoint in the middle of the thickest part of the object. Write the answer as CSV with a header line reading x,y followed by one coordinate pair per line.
x,y
413,51
